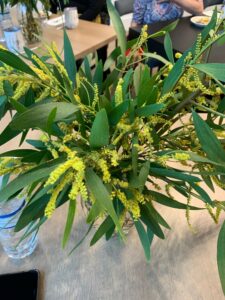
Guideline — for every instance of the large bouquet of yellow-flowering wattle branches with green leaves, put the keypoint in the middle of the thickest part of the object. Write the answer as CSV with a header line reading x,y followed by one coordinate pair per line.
x,y
123,144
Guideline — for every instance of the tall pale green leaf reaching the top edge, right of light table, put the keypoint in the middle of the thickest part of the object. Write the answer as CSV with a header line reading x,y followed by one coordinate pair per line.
x,y
118,26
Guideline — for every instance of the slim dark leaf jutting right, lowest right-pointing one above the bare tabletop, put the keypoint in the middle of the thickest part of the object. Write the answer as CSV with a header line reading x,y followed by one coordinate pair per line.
x,y
164,200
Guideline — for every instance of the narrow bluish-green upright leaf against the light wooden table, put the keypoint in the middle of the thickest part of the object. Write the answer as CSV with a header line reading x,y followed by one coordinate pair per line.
x,y
69,59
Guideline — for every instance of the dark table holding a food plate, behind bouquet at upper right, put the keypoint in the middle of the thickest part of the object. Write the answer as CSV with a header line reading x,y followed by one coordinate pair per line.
x,y
183,36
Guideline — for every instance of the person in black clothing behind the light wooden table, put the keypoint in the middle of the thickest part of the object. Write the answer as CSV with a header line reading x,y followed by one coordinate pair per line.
x,y
89,10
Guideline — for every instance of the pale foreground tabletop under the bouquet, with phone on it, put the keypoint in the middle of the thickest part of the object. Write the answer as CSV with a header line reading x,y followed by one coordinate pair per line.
x,y
182,267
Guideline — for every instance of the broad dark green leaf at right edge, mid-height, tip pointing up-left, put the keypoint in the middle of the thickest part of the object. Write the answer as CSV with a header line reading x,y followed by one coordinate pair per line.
x,y
208,140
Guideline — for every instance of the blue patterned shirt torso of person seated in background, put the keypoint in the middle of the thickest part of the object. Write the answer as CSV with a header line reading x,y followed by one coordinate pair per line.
x,y
155,12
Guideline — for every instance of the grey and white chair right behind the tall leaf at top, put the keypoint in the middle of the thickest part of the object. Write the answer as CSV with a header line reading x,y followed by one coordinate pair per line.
x,y
125,10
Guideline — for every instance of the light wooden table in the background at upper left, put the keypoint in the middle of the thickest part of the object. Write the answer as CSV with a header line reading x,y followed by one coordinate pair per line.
x,y
85,39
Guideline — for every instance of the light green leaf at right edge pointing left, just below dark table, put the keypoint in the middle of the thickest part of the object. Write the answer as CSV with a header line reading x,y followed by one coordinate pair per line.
x,y
214,70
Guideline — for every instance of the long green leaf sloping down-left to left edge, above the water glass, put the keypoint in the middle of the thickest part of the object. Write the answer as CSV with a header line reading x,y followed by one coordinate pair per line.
x,y
40,172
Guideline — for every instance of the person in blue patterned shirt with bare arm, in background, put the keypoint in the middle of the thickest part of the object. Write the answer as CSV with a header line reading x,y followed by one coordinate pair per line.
x,y
151,11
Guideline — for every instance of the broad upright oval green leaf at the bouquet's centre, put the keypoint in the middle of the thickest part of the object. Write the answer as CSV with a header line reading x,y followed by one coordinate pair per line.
x,y
99,136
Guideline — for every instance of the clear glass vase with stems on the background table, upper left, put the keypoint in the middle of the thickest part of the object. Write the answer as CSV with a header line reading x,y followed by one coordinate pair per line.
x,y
31,25
